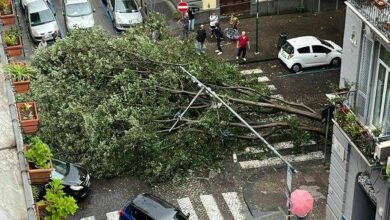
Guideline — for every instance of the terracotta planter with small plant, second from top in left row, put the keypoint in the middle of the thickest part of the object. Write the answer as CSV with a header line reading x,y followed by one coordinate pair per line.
x,y
13,42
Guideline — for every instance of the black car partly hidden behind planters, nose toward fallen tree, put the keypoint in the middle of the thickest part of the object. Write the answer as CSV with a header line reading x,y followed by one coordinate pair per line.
x,y
74,178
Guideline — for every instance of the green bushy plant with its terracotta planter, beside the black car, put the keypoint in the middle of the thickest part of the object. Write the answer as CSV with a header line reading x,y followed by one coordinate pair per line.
x,y
38,156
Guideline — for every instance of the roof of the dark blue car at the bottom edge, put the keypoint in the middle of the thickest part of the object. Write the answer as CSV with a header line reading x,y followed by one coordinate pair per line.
x,y
154,207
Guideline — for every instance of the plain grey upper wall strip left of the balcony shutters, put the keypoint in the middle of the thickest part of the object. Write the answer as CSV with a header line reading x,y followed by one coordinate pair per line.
x,y
351,48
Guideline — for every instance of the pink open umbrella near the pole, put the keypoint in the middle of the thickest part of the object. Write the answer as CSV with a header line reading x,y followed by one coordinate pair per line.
x,y
301,203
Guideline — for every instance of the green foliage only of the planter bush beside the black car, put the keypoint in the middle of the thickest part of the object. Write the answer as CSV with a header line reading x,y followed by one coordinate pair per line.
x,y
39,154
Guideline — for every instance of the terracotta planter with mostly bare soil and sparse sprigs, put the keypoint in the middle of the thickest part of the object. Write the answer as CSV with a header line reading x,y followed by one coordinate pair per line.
x,y
28,116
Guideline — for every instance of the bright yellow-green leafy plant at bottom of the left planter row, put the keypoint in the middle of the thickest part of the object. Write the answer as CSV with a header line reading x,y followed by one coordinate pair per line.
x,y
56,204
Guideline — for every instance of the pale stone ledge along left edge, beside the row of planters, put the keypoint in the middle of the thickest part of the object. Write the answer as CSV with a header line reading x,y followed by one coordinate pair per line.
x,y
12,201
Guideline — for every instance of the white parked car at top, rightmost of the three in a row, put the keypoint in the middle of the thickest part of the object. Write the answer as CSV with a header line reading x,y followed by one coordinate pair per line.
x,y
124,13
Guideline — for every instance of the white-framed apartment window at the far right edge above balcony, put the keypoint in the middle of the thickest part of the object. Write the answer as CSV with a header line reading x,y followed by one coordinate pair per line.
x,y
380,113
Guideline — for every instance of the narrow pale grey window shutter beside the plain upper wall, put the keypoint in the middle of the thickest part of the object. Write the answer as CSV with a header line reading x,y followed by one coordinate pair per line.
x,y
364,80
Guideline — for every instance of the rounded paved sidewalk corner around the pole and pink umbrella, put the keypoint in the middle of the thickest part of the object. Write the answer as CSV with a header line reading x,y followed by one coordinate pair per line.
x,y
265,197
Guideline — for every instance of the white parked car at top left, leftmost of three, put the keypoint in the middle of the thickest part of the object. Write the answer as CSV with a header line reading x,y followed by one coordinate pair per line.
x,y
40,20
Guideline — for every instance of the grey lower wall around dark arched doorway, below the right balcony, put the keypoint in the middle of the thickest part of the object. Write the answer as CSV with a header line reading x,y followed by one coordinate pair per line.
x,y
346,164
